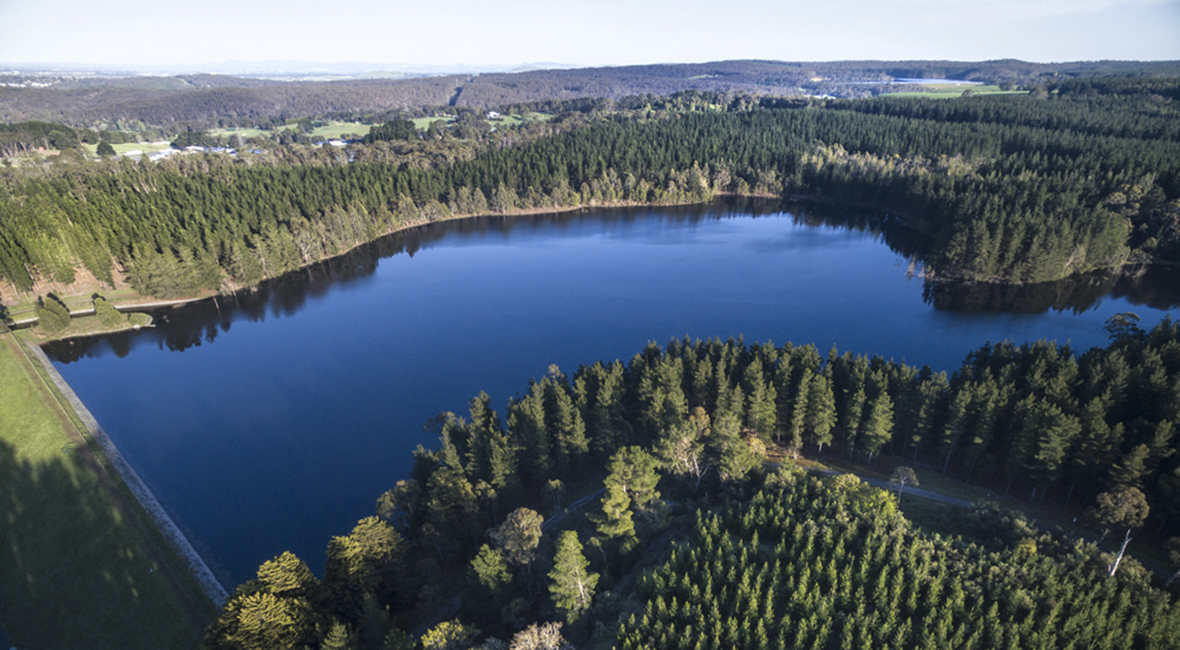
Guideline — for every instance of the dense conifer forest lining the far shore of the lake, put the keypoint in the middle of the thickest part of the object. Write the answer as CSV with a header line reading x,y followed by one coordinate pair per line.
x,y
1000,198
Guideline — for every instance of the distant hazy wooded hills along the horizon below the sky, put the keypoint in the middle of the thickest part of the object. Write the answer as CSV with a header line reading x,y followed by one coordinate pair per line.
x,y
213,100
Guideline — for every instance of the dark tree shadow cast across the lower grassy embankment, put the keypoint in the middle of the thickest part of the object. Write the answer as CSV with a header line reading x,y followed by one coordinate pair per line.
x,y
74,574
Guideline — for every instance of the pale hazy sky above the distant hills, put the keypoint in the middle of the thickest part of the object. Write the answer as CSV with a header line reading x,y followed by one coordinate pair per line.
x,y
600,32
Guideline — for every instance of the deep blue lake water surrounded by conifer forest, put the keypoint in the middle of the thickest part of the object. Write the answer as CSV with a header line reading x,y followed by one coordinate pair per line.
x,y
276,422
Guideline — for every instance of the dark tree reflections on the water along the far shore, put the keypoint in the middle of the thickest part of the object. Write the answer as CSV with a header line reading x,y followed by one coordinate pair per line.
x,y
187,326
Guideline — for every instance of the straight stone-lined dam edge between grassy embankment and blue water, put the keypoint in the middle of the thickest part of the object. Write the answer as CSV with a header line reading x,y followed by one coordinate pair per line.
x,y
195,564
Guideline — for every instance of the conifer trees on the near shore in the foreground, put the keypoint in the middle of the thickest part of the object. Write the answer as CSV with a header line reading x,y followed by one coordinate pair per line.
x,y
693,421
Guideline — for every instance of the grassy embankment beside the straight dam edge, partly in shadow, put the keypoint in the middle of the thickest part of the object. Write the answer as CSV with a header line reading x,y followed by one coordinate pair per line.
x,y
81,566
